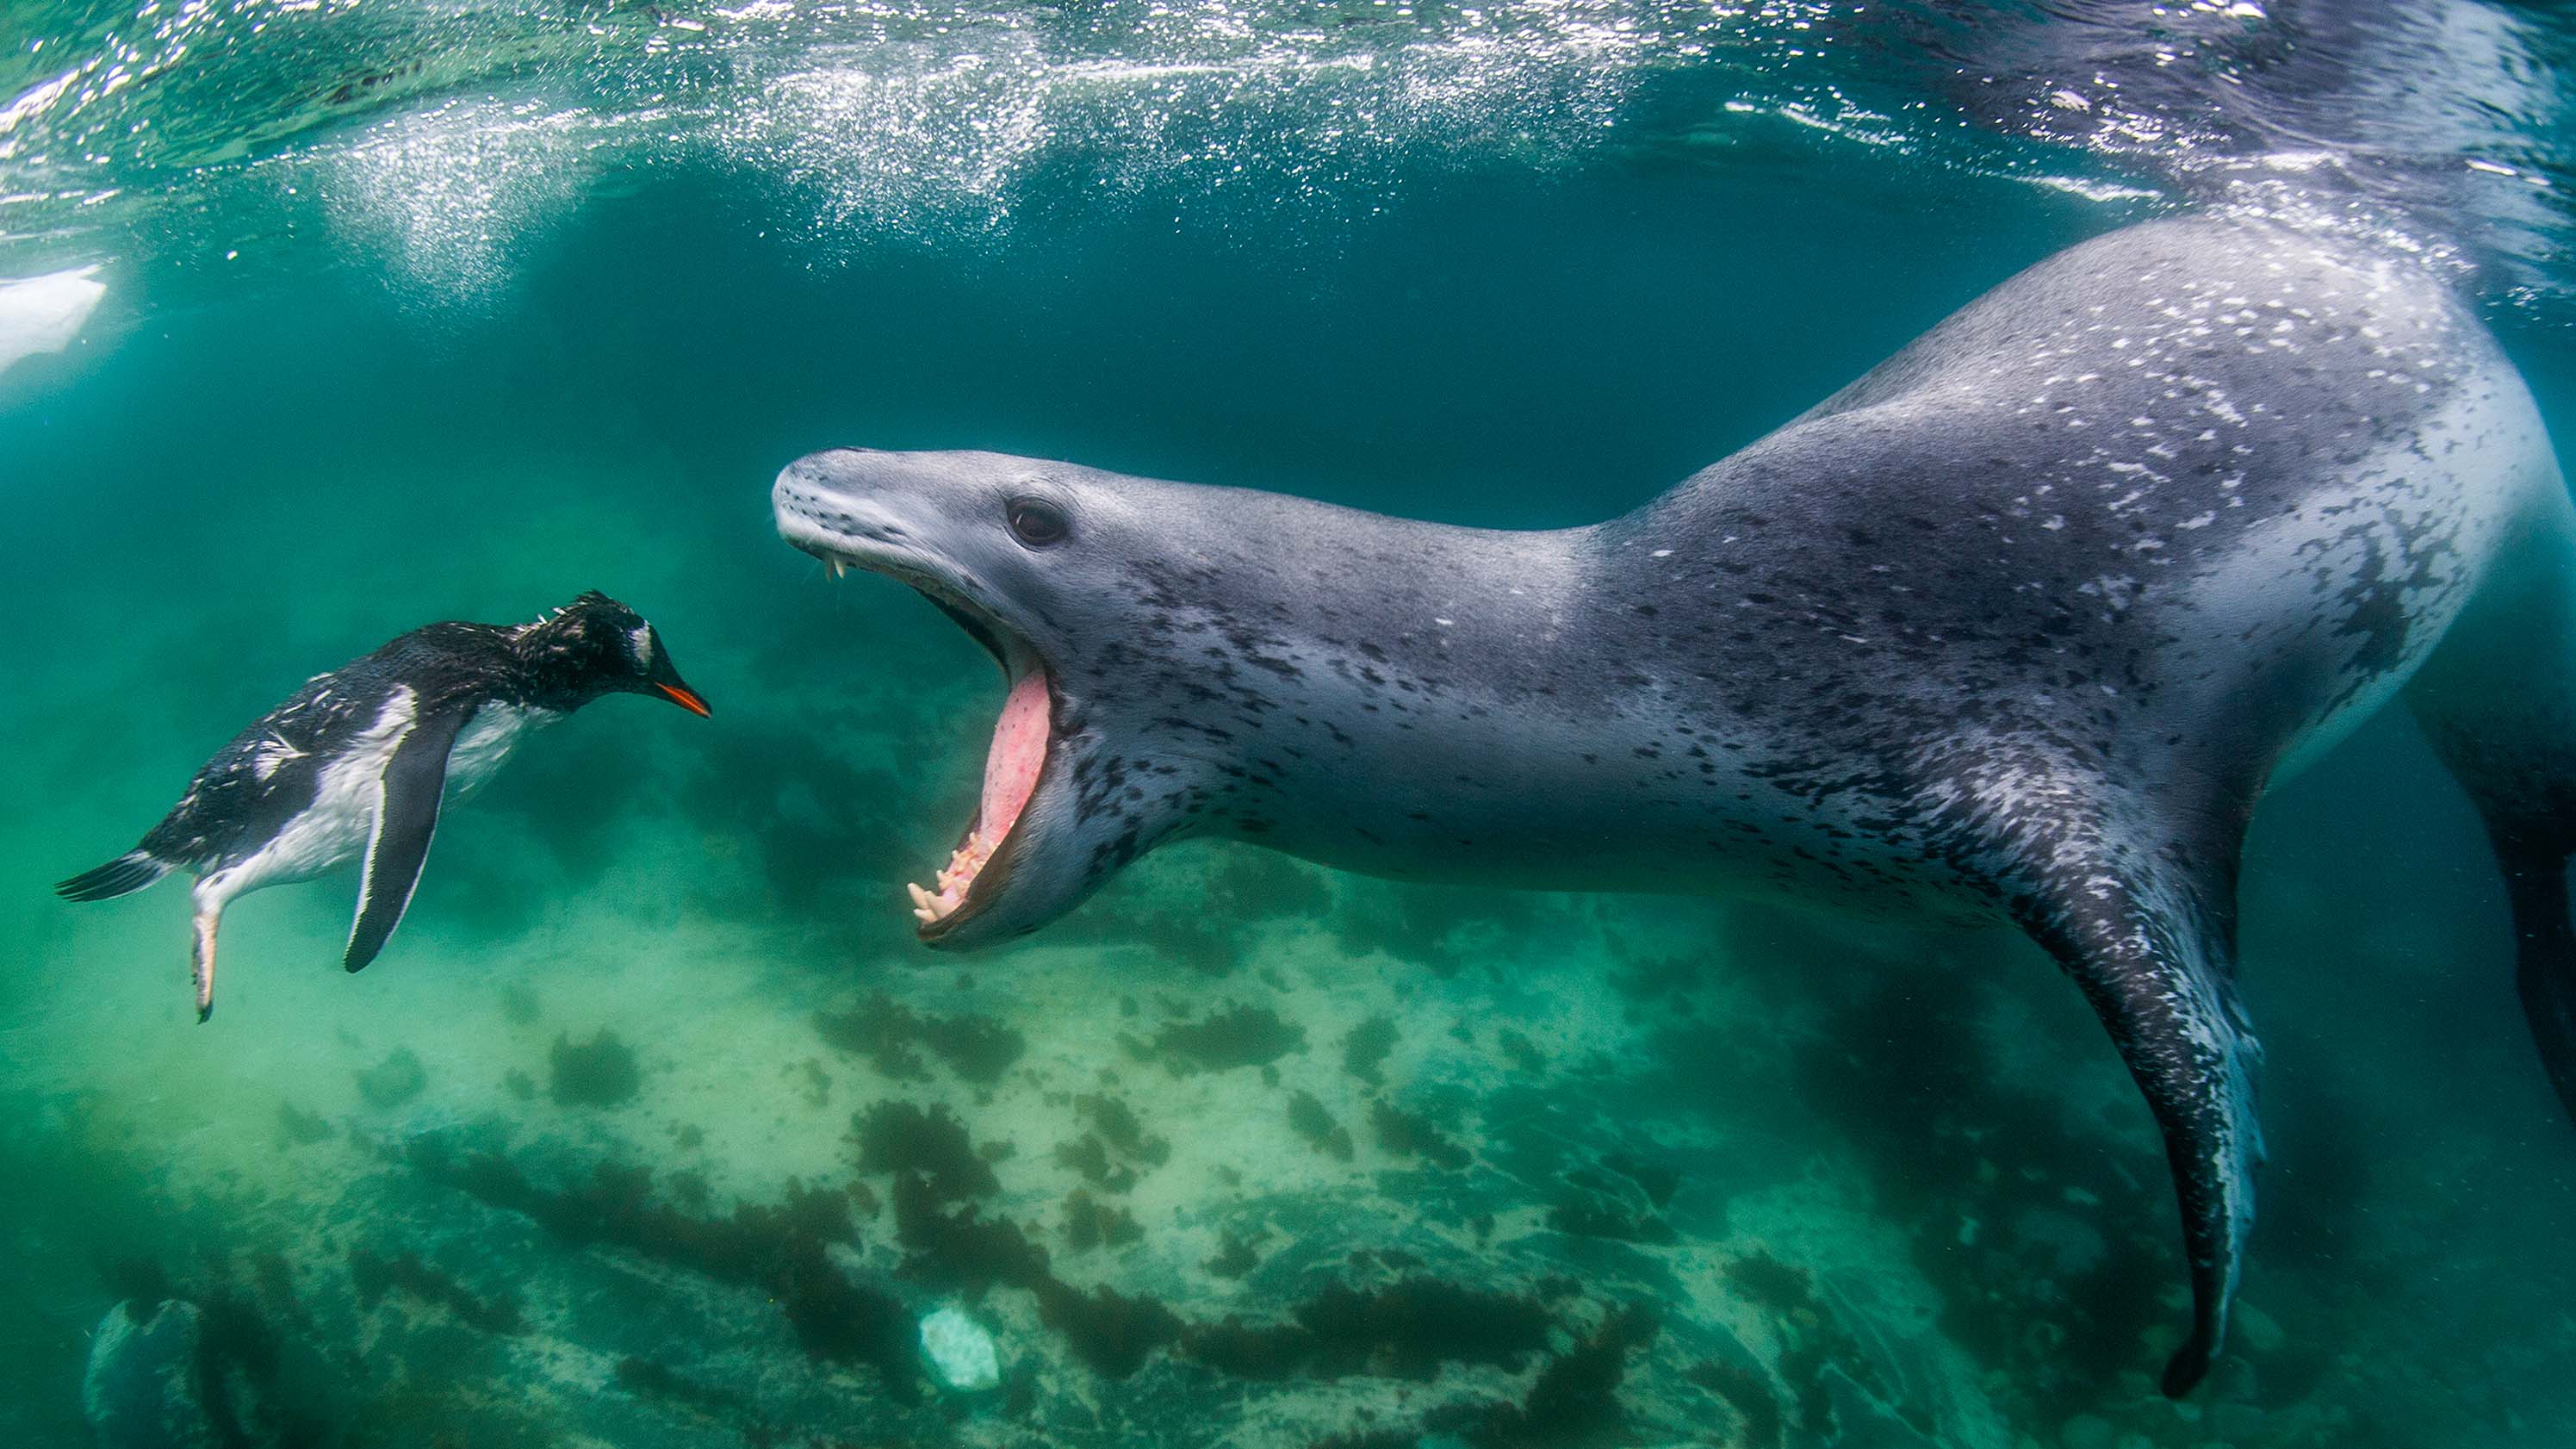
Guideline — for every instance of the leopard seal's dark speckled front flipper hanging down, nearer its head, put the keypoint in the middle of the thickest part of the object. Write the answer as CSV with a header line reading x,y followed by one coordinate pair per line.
x,y
2155,960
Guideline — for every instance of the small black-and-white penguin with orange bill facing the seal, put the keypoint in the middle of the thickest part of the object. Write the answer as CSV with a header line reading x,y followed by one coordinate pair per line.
x,y
362,757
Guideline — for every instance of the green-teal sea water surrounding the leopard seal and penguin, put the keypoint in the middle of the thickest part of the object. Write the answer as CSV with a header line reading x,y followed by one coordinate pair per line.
x,y
656,1128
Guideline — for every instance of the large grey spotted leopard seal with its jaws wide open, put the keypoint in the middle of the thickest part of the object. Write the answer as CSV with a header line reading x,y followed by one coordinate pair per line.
x,y
2016,628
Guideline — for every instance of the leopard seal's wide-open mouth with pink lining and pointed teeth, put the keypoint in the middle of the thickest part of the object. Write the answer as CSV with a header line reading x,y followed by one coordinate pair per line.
x,y
1014,762
